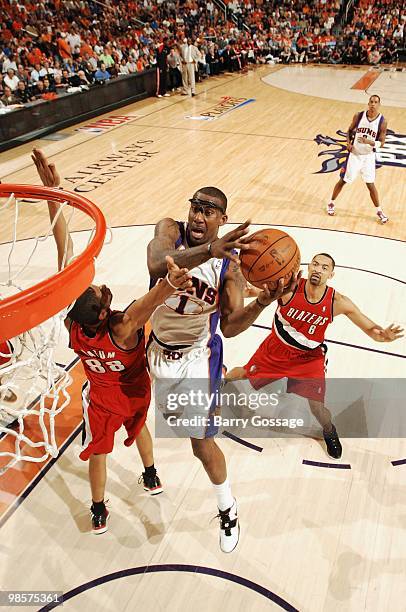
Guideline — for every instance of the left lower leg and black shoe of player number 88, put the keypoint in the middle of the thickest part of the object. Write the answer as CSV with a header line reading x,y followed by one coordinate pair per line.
x,y
97,478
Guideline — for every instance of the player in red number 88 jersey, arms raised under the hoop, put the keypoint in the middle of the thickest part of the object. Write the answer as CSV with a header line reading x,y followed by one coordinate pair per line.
x,y
111,347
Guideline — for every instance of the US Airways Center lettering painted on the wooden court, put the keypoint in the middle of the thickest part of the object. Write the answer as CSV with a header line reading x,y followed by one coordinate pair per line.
x,y
111,166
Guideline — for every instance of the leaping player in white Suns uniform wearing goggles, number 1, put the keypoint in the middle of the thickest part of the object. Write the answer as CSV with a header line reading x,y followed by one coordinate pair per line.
x,y
184,345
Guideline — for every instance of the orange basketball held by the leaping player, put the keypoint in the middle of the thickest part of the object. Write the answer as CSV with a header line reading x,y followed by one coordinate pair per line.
x,y
272,255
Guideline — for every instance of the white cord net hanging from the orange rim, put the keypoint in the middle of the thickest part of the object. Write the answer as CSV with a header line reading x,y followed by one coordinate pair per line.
x,y
33,386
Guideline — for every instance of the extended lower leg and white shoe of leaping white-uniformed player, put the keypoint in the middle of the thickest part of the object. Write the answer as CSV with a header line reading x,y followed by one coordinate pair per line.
x,y
214,463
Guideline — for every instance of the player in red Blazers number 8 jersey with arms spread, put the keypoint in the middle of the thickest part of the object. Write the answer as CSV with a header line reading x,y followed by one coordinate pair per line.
x,y
295,347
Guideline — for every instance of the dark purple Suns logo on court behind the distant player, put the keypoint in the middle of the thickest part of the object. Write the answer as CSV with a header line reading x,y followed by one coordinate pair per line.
x,y
393,153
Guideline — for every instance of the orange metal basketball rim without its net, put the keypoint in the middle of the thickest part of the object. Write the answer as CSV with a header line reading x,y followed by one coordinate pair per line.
x,y
30,307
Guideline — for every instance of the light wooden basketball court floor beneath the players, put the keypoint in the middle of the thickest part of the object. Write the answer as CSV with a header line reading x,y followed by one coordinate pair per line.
x,y
315,536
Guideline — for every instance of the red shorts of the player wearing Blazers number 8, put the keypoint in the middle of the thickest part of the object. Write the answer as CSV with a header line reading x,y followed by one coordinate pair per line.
x,y
305,371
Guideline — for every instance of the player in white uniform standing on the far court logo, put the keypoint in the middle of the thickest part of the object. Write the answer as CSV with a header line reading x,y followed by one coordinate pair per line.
x,y
366,134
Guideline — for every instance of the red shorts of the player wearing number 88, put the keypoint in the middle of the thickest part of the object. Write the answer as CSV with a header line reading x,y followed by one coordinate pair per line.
x,y
100,423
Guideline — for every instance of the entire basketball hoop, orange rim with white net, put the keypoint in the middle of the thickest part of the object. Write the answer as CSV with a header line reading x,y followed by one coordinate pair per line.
x,y
31,322
